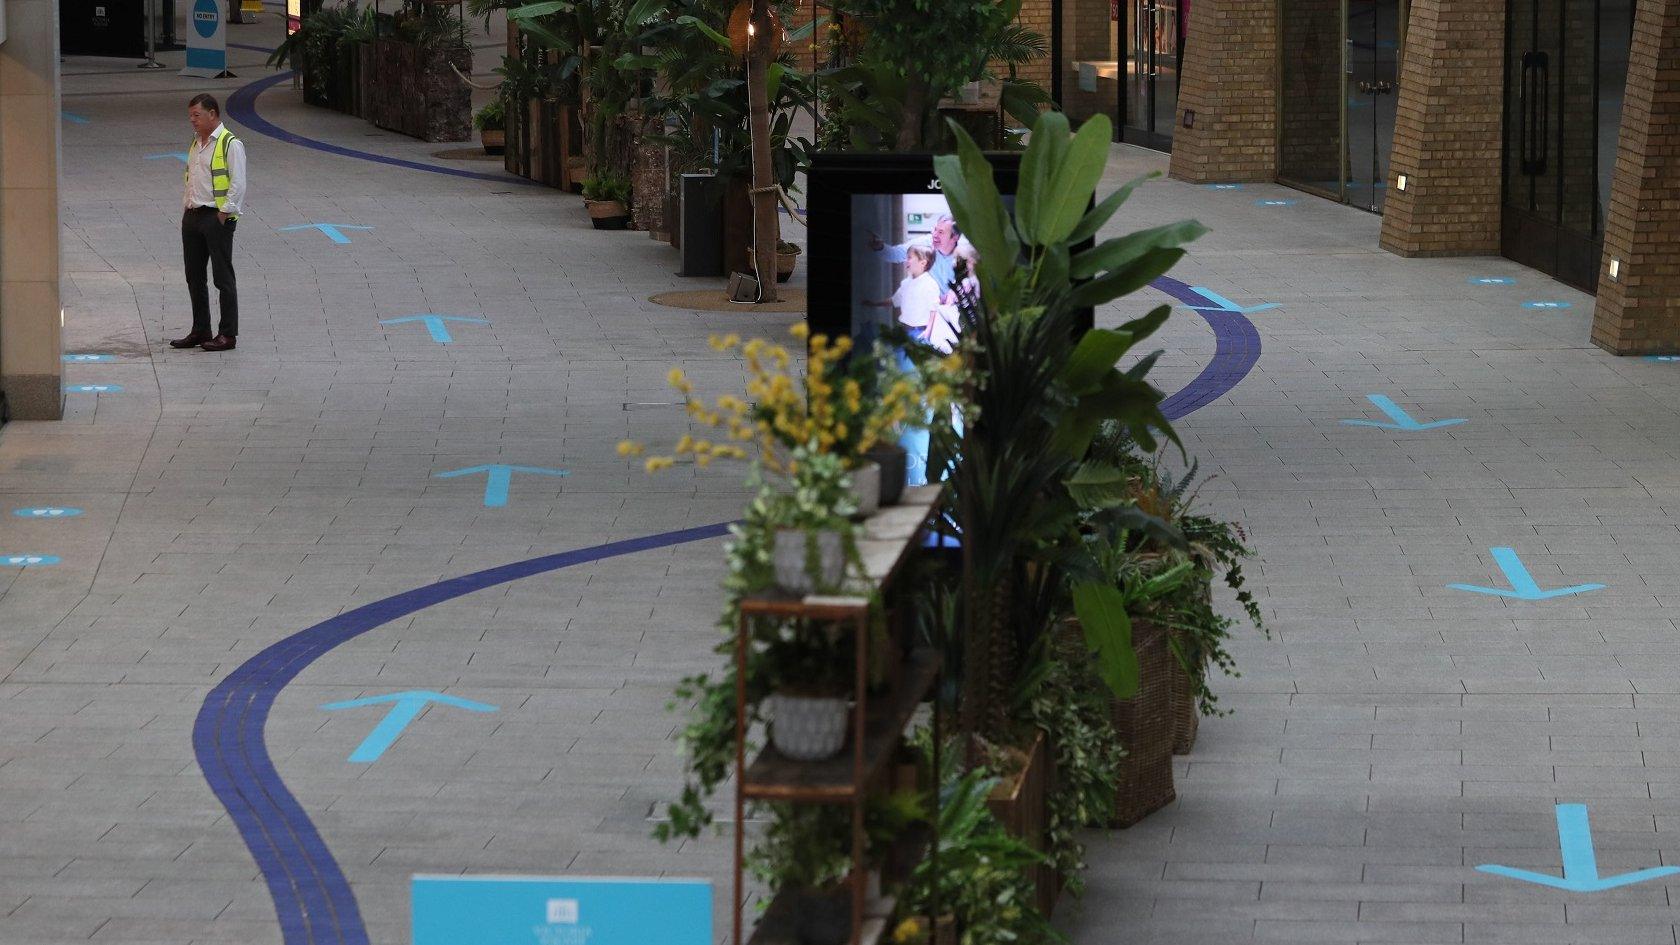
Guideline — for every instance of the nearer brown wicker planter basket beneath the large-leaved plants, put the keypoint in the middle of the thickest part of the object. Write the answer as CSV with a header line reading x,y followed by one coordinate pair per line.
x,y
1147,729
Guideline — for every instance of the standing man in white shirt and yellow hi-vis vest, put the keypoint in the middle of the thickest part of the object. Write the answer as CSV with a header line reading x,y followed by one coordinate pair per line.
x,y
214,198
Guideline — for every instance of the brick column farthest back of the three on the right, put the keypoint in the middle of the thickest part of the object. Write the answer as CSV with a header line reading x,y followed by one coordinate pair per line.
x,y
1229,93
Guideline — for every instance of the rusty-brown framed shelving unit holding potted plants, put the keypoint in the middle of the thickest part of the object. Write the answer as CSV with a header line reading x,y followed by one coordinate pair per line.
x,y
888,541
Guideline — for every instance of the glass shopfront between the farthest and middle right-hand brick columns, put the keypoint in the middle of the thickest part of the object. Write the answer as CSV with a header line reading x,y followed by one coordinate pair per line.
x,y
1338,97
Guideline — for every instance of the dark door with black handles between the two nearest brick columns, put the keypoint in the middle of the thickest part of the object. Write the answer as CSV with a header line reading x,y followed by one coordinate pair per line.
x,y
1567,66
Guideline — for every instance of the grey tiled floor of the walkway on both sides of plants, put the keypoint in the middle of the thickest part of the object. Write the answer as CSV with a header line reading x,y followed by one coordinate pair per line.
x,y
1390,736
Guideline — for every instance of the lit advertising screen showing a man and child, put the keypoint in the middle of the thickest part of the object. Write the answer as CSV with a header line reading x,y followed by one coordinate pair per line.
x,y
911,267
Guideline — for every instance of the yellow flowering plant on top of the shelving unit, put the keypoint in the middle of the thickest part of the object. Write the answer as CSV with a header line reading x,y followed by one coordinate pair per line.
x,y
843,404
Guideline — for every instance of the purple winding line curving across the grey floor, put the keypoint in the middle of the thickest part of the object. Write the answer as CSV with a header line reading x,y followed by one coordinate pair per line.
x,y
312,895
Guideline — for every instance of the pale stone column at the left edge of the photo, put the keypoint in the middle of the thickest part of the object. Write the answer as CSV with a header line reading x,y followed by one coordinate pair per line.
x,y
31,356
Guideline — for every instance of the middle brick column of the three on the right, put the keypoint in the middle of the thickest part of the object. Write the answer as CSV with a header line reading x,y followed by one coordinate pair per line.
x,y
1447,132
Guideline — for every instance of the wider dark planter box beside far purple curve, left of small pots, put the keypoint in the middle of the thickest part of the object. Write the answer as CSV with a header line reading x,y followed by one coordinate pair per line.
x,y
416,93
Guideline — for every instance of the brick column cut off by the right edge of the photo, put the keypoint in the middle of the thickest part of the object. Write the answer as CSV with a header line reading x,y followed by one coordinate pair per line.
x,y
1639,314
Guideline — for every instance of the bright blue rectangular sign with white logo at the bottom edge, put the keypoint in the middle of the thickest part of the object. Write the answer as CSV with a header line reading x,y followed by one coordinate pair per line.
x,y
552,911
